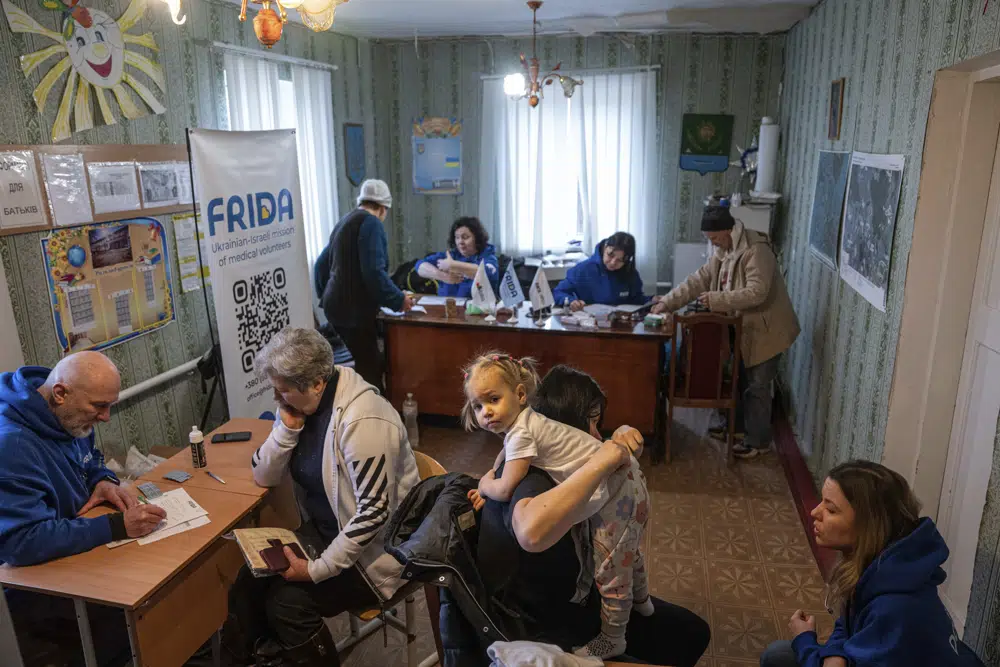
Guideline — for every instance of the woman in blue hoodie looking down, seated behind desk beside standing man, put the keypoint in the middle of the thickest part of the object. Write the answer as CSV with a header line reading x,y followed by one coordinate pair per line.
x,y
608,276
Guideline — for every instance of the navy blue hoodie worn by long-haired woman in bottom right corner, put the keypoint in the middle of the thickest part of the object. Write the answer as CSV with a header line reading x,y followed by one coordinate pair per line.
x,y
896,617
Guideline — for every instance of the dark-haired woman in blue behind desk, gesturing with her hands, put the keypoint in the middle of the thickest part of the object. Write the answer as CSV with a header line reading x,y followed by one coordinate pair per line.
x,y
455,269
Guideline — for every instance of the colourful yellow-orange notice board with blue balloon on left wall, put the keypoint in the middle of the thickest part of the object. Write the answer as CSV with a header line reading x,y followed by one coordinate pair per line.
x,y
108,282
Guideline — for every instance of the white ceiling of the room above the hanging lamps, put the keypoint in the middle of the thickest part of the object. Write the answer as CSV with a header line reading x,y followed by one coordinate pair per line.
x,y
450,18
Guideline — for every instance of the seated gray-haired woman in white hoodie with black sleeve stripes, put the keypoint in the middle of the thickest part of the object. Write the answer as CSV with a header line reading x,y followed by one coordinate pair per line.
x,y
346,450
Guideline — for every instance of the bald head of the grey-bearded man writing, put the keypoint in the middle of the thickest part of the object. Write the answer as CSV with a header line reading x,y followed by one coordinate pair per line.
x,y
80,391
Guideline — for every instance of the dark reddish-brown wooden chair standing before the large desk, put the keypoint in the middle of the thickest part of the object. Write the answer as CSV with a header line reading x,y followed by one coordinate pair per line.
x,y
704,372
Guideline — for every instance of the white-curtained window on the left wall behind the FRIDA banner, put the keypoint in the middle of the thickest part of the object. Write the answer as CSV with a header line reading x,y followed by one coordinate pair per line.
x,y
264,94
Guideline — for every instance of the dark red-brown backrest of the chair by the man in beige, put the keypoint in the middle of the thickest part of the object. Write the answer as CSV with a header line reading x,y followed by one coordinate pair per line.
x,y
697,368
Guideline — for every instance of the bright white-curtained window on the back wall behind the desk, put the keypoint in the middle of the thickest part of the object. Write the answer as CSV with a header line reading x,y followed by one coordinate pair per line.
x,y
573,168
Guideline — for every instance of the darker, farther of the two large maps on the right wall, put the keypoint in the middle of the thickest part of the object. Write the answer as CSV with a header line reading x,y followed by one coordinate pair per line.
x,y
828,205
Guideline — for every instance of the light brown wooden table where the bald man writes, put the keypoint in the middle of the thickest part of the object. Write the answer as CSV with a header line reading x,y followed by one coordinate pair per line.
x,y
174,592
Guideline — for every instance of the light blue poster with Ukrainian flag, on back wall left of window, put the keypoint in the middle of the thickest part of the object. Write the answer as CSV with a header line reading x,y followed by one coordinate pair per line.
x,y
437,156
